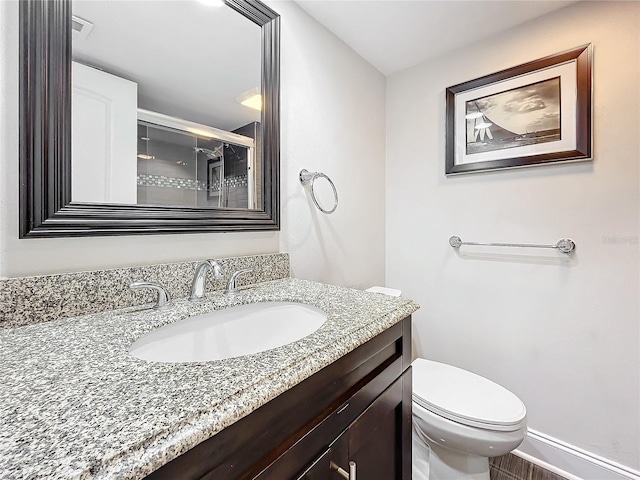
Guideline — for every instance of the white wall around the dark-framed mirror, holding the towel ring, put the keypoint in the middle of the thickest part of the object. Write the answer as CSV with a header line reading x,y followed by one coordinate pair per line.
x,y
332,118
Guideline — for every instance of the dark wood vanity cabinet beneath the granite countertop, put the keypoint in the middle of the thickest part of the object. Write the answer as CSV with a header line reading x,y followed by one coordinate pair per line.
x,y
358,409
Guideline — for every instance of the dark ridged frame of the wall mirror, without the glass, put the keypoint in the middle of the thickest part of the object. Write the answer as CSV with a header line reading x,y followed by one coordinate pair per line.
x,y
46,209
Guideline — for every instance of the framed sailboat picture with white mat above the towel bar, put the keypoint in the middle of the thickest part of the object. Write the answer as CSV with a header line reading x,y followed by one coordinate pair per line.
x,y
532,114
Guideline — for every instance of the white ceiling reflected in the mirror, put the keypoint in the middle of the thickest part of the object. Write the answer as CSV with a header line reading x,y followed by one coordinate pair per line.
x,y
190,61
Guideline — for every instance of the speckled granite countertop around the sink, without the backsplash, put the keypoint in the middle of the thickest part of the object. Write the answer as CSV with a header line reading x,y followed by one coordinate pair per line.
x,y
74,404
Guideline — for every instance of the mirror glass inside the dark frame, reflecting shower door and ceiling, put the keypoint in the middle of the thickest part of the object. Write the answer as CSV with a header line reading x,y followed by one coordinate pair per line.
x,y
166,104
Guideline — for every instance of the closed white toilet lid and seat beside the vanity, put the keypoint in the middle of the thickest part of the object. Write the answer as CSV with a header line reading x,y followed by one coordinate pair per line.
x,y
466,398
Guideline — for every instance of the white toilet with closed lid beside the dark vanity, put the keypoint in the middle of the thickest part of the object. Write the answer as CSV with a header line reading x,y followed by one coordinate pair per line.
x,y
460,419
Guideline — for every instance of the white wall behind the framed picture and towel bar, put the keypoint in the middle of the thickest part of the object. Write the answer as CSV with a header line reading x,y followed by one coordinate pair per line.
x,y
563,334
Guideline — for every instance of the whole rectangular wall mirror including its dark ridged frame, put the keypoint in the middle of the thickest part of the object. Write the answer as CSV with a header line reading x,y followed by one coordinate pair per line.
x,y
163,141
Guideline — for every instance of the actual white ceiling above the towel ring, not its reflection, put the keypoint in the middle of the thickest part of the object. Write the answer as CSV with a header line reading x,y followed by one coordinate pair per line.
x,y
396,34
